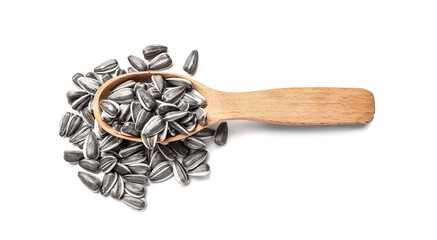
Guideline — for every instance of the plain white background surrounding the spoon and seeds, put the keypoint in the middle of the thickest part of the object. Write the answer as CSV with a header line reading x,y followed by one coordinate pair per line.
x,y
269,182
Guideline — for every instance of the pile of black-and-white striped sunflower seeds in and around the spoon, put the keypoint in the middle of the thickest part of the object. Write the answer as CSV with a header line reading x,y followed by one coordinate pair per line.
x,y
128,166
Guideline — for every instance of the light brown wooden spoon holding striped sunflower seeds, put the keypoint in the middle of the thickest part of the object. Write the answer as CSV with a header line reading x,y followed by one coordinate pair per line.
x,y
287,106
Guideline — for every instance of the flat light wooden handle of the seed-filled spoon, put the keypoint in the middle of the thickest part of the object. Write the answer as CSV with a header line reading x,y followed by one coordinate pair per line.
x,y
297,106
